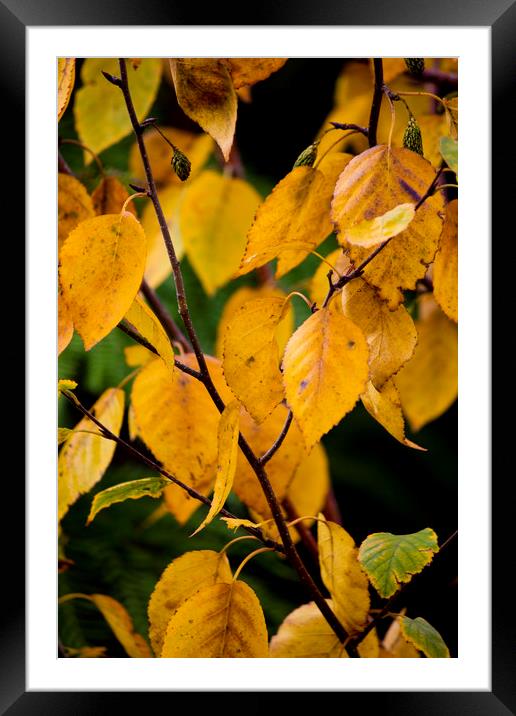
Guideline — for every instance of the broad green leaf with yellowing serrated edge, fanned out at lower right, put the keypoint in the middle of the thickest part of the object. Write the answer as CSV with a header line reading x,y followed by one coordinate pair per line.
x,y
391,559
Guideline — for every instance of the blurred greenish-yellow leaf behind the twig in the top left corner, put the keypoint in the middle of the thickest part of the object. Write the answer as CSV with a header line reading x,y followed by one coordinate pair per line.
x,y
101,117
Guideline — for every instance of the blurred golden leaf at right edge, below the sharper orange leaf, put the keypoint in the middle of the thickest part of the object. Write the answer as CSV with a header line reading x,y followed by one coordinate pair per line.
x,y
427,384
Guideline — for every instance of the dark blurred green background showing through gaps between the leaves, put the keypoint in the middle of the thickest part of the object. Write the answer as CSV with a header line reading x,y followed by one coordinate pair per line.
x,y
380,485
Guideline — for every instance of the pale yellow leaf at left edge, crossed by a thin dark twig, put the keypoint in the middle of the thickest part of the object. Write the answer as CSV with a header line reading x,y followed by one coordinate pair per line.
x,y
84,458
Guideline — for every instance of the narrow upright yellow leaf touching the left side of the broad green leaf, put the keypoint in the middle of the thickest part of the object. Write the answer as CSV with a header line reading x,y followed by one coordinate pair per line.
x,y
342,575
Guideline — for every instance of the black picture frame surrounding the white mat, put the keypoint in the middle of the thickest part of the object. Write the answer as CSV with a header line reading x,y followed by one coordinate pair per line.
x,y
500,16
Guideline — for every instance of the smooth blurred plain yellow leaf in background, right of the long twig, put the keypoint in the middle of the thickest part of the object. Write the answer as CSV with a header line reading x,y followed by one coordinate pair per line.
x,y
215,214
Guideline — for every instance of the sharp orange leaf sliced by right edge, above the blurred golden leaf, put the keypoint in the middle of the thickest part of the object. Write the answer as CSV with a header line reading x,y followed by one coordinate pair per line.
x,y
446,264
